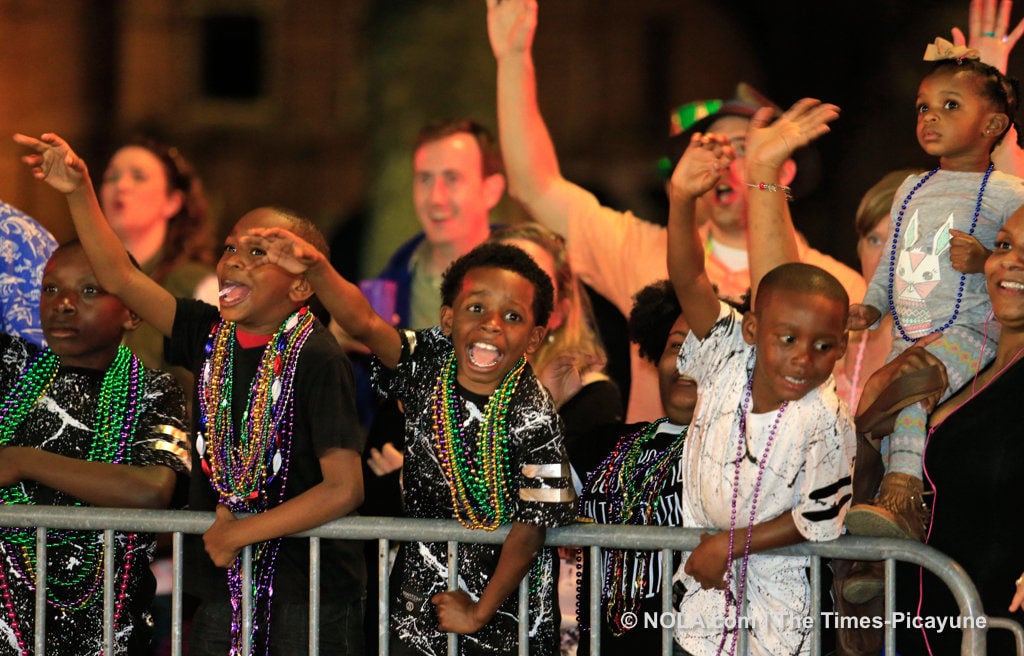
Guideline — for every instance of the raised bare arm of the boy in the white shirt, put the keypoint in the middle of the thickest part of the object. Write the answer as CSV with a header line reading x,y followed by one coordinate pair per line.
x,y
699,171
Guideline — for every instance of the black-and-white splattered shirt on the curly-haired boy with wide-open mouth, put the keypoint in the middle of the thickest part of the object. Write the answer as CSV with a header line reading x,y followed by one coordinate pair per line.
x,y
542,495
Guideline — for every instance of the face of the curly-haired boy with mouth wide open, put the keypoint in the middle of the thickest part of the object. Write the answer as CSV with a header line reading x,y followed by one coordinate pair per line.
x,y
492,326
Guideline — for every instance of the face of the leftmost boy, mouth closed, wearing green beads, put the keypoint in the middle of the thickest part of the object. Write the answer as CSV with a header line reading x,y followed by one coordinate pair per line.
x,y
82,323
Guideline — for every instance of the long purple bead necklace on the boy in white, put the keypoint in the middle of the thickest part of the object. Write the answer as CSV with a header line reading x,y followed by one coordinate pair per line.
x,y
763,461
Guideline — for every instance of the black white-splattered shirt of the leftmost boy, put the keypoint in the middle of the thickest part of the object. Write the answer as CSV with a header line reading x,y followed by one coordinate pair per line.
x,y
63,423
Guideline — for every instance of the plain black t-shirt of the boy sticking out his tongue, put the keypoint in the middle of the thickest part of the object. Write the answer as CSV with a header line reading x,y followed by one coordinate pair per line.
x,y
325,417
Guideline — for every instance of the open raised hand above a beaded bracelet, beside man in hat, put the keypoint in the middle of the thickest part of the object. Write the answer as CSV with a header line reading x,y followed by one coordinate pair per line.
x,y
772,144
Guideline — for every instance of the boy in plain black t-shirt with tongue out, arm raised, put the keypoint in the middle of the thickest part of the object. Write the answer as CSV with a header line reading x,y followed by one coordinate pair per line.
x,y
275,405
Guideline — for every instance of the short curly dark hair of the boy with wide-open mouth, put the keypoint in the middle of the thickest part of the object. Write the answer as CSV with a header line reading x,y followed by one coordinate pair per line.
x,y
501,256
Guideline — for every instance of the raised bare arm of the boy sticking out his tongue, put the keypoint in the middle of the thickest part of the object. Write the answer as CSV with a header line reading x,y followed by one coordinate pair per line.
x,y
54,162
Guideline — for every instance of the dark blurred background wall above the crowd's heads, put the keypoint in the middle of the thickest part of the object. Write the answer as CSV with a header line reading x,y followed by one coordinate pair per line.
x,y
313,104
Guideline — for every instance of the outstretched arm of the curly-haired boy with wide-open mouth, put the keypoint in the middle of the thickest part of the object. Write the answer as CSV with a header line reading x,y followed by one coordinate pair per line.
x,y
349,308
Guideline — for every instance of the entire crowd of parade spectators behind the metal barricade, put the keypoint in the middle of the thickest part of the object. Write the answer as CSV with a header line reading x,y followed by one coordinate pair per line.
x,y
776,395
